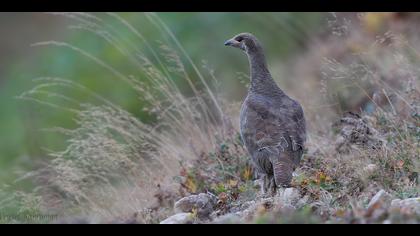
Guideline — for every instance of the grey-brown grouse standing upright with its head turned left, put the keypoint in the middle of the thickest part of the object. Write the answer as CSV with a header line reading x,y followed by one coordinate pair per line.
x,y
272,124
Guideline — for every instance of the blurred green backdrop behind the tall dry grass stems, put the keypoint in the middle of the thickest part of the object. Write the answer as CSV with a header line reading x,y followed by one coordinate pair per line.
x,y
24,144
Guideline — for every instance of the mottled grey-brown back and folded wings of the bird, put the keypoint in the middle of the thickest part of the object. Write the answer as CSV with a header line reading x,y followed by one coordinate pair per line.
x,y
271,126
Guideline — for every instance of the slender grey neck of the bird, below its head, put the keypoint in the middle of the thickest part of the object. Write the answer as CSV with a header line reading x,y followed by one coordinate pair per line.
x,y
261,80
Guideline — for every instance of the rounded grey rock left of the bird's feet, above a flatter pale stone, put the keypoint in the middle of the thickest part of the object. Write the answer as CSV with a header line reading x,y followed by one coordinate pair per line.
x,y
202,203
